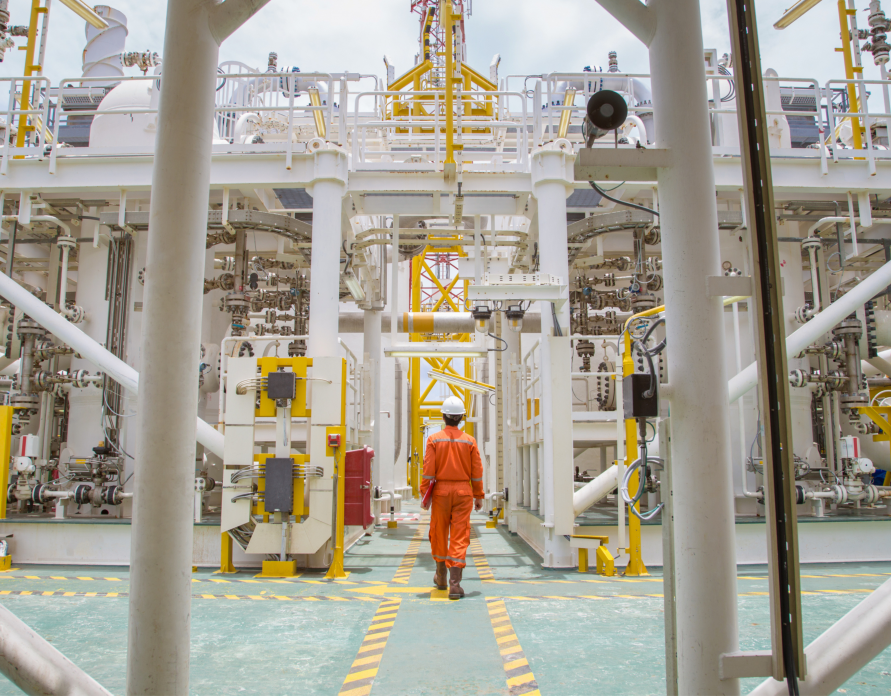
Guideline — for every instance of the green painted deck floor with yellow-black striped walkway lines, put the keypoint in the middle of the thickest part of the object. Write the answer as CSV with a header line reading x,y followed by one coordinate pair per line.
x,y
565,633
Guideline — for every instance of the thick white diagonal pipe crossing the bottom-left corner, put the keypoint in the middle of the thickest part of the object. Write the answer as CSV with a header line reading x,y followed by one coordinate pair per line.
x,y
38,668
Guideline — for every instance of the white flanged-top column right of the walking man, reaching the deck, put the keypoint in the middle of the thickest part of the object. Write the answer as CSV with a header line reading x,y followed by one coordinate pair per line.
x,y
552,177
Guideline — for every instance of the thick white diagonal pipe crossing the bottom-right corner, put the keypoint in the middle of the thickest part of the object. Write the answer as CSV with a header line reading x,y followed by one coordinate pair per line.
x,y
844,648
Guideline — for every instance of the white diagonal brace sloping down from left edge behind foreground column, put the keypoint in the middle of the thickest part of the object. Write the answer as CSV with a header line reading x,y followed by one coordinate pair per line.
x,y
92,351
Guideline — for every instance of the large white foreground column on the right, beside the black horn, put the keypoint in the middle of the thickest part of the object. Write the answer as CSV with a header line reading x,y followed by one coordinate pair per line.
x,y
700,445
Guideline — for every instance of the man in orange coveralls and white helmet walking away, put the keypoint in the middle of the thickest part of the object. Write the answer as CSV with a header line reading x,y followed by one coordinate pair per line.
x,y
452,460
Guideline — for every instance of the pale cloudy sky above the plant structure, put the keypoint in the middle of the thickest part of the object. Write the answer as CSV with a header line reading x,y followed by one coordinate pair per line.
x,y
533,37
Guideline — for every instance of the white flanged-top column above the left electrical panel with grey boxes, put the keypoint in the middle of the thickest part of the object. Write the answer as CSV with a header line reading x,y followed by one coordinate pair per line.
x,y
327,190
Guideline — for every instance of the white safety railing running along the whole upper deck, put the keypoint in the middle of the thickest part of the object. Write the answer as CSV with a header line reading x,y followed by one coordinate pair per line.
x,y
274,106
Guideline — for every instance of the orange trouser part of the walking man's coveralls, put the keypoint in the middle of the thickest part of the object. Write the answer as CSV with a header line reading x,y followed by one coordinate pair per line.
x,y
450,522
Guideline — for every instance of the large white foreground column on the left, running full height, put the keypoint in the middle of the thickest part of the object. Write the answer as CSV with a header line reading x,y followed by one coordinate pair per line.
x,y
161,552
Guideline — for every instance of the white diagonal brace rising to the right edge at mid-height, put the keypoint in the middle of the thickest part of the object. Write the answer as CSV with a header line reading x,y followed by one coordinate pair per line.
x,y
798,340
